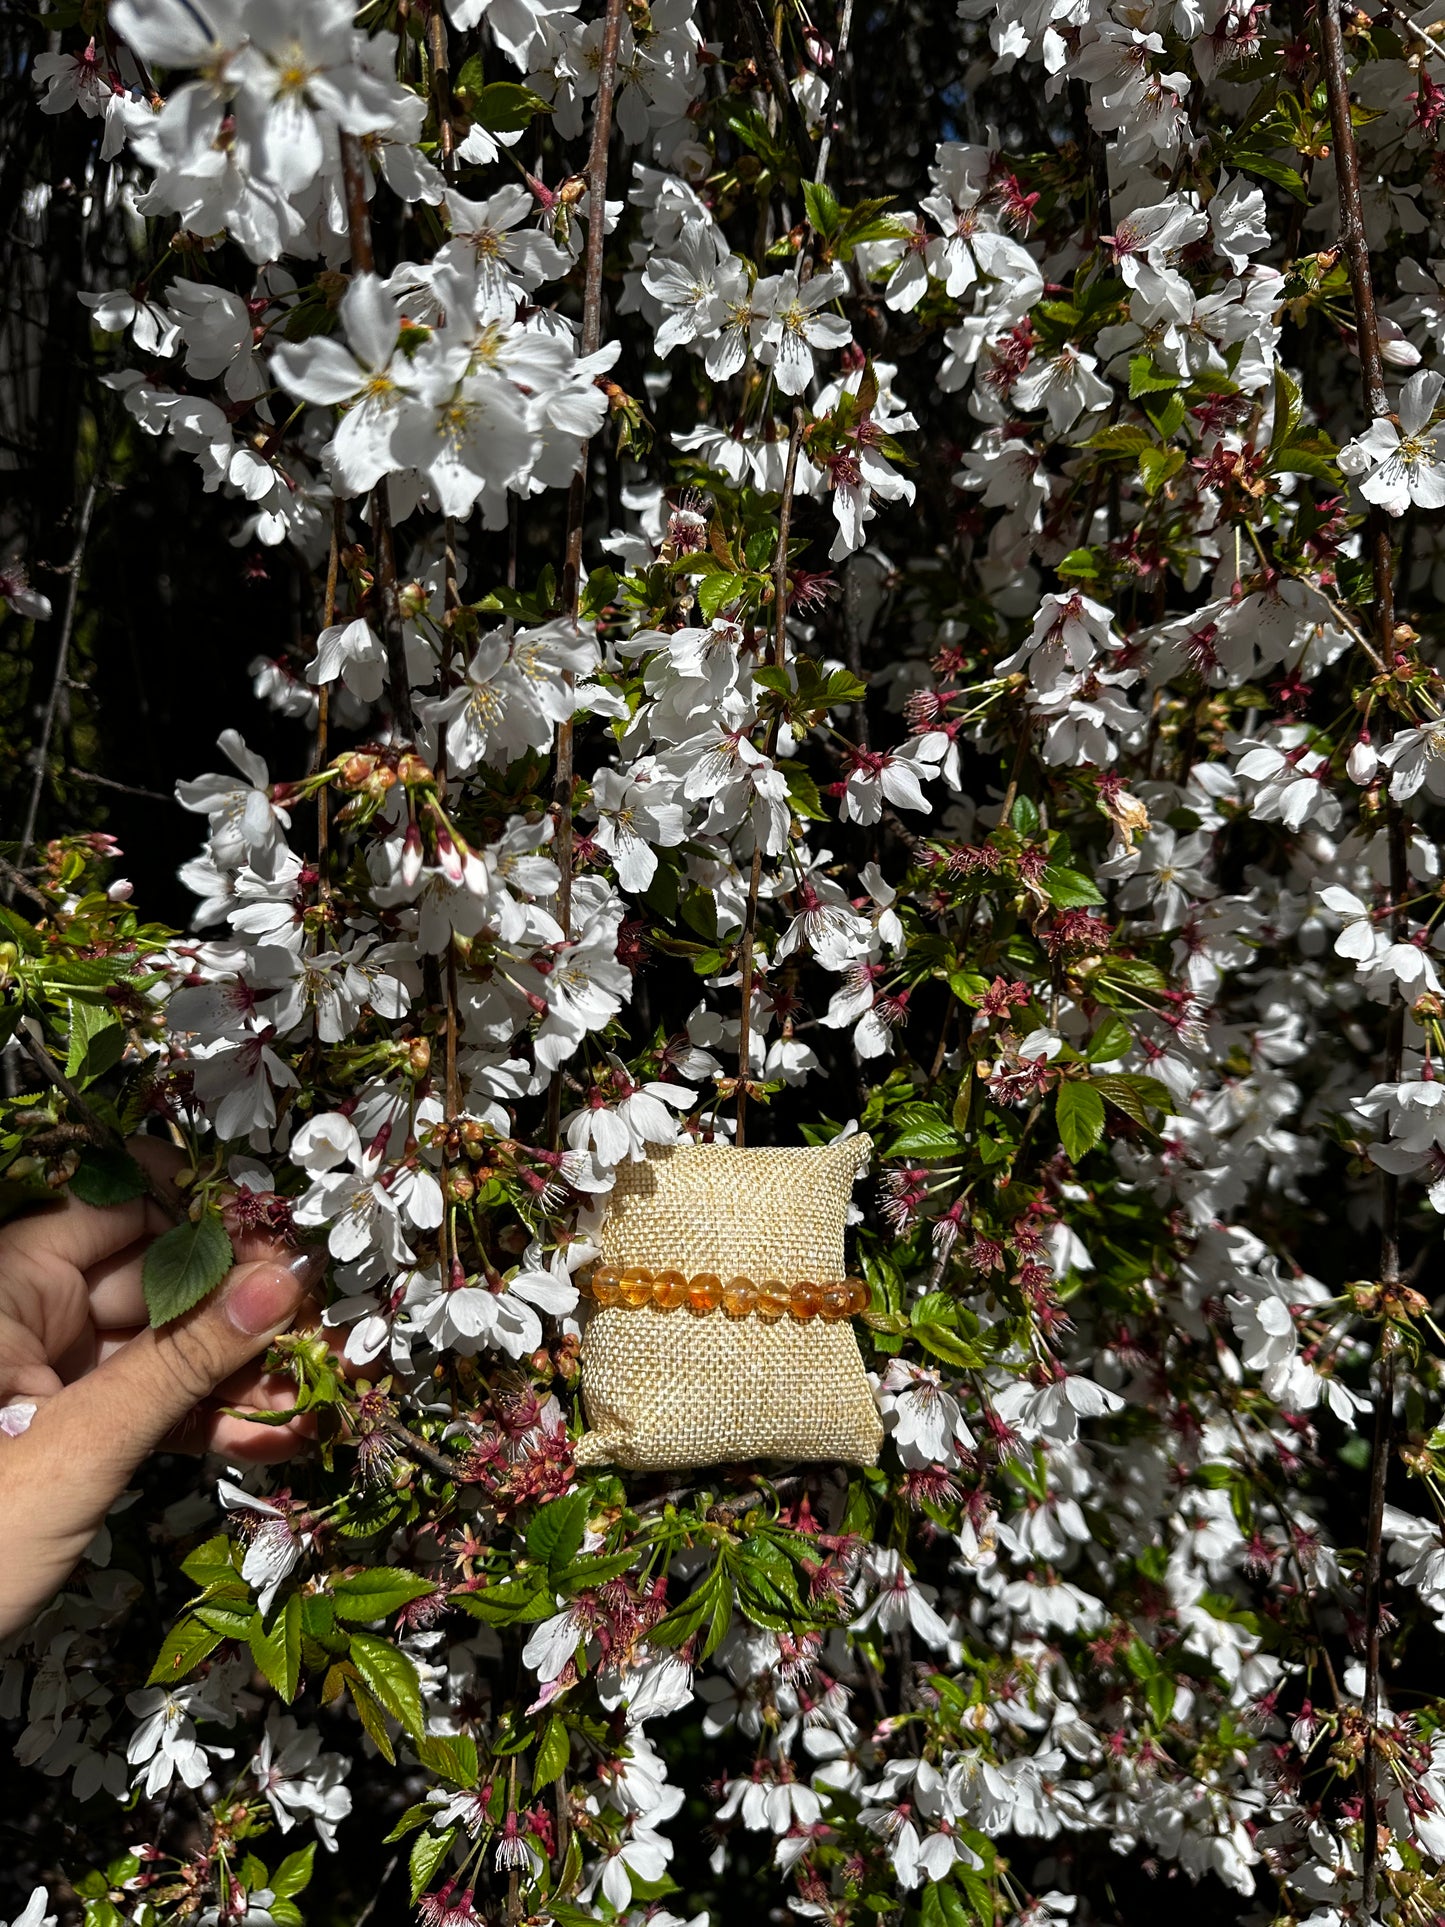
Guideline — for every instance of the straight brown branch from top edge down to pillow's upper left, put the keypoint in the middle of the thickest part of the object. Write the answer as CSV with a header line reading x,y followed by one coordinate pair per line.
x,y
577,498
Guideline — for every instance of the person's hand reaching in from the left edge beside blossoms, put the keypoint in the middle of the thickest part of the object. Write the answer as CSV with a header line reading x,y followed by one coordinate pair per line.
x,y
109,1390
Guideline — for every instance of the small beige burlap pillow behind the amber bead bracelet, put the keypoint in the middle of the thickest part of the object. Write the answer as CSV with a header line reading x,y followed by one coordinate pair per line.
x,y
668,1388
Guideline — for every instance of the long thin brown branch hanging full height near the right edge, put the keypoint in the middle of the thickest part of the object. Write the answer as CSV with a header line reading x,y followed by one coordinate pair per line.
x,y
1382,558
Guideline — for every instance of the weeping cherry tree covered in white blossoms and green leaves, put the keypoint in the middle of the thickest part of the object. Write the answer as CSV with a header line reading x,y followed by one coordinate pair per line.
x,y
851,573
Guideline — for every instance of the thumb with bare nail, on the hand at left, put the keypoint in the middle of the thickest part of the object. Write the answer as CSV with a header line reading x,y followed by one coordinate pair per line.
x,y
149,1386
